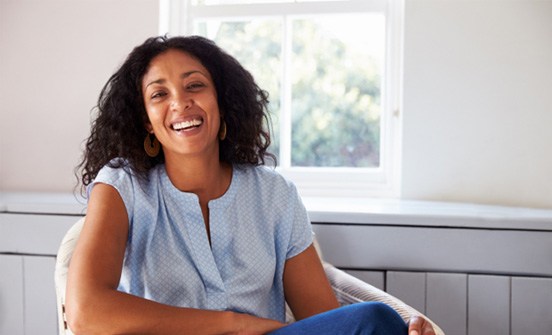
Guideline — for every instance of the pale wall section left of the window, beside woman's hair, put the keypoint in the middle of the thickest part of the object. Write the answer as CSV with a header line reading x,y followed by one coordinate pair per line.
x,y
55,56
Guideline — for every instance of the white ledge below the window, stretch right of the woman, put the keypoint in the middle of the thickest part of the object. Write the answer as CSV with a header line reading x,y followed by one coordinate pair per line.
x,y
425,213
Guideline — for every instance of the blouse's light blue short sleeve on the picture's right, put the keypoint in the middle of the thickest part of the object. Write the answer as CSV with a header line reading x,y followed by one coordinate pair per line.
x,y
301,229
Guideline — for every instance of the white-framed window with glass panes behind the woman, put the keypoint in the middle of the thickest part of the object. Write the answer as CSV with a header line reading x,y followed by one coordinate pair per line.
x,y
332,71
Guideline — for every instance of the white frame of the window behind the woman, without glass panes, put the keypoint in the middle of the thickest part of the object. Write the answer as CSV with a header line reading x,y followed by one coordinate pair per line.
x,y
177,17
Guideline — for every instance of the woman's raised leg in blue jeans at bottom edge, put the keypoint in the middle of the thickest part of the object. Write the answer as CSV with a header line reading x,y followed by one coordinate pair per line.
x,y
368,318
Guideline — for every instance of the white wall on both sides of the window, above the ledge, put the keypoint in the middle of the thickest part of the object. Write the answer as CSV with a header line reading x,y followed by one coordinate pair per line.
x,y
477,96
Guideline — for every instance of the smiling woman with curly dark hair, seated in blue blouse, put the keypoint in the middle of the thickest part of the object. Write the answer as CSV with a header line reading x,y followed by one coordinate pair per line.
x,y
200,234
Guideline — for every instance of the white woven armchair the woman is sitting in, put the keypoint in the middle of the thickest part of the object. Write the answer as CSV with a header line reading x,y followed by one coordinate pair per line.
x,y
348,289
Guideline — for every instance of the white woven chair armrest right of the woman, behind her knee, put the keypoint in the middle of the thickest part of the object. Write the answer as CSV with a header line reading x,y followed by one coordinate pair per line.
x,y
350,290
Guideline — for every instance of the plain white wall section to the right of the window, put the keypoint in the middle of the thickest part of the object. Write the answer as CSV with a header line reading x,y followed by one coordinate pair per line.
x,y
478,101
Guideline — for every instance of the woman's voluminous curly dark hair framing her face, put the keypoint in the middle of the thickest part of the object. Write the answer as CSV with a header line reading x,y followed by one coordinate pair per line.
x,y
119,128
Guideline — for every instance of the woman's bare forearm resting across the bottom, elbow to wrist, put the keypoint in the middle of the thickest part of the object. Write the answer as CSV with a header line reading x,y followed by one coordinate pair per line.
x,y
116,312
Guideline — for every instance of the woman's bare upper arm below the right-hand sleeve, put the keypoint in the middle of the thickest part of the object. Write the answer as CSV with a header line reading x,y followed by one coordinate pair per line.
x,y
306,286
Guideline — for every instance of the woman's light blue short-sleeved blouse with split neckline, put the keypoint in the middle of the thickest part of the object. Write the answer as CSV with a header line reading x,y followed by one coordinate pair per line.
x,y
257,225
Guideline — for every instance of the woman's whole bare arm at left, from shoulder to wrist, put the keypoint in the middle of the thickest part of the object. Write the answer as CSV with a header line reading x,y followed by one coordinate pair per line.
x,y
95,306
